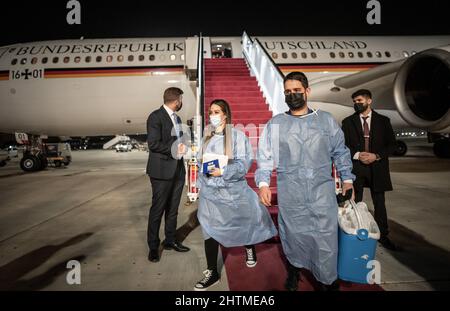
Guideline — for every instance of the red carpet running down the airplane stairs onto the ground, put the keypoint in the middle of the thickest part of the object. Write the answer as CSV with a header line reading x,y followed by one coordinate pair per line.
x,y
229,79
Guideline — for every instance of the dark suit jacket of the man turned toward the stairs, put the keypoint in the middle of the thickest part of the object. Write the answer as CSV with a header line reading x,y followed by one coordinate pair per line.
x,y
161,164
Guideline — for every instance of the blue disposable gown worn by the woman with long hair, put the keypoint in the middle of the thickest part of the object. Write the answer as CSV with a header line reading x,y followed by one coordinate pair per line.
x,y
229,210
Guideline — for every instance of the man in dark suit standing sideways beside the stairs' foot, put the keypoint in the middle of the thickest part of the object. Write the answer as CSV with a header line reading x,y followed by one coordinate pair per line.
x,y
165,168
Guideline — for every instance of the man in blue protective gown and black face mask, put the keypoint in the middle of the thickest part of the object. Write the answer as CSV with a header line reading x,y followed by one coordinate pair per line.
x,y
301,144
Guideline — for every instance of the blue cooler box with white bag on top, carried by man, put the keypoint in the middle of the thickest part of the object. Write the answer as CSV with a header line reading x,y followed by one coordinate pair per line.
x,y
358,235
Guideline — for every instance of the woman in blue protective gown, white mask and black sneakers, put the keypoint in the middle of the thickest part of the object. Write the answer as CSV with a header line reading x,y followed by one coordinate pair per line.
x,y
229,211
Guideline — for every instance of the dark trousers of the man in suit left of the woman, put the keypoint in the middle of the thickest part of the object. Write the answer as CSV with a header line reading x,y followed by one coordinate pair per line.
x,y
166,196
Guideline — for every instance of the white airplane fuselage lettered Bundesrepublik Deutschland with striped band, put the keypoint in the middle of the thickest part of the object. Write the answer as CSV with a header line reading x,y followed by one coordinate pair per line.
x,y
109,86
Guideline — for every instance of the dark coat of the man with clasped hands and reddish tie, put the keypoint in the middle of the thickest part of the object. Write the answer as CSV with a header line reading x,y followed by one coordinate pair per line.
x,y
382,142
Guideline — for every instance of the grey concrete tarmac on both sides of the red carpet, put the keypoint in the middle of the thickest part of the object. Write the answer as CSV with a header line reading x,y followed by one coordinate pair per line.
x,y
95,211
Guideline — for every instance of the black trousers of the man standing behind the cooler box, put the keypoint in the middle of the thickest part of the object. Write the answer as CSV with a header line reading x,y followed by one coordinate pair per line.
x,y
364,179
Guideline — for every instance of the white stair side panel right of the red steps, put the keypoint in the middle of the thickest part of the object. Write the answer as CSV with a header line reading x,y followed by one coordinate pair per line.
x,y
269,77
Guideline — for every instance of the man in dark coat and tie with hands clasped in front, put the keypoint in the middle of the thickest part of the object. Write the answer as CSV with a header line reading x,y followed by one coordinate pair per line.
x,y
370,138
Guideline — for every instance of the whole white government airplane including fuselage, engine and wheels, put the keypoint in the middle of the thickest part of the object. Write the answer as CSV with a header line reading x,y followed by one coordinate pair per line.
x,y
91,87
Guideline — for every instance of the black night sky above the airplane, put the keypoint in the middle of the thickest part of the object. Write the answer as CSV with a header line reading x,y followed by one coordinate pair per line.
x,y
24,21
